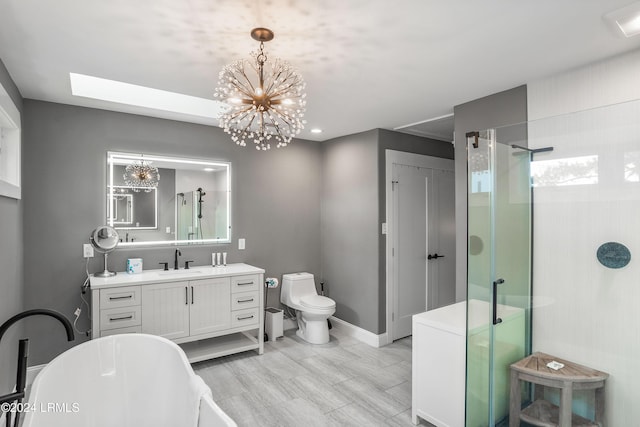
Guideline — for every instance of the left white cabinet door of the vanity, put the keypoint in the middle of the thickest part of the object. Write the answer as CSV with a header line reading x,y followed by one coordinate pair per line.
x,y
165,310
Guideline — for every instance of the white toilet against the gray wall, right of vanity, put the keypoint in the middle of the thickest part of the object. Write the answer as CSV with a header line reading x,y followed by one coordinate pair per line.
x,y
312,310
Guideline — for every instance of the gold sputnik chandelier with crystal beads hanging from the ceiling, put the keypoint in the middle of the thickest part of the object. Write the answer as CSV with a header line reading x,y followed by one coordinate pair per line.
x,y
266,99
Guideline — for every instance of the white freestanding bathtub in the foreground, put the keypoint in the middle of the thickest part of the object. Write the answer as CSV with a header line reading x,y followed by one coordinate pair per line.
x,y
129,380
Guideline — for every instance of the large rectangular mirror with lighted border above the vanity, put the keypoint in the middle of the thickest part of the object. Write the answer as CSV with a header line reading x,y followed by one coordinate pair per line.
x,y
154,200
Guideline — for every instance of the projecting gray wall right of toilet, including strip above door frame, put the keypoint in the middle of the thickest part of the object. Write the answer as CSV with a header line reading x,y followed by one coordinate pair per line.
x,y
353,209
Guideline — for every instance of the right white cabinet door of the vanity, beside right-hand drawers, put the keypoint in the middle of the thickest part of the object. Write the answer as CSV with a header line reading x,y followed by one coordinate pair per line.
x,y
210,305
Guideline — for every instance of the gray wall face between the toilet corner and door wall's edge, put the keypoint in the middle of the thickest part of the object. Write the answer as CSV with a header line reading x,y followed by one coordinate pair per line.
x,y
350,227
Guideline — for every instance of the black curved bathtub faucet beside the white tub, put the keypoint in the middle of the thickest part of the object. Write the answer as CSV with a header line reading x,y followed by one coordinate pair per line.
x,y
23,353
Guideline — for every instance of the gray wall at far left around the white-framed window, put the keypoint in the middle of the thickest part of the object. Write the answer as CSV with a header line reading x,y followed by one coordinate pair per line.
x,y
10,263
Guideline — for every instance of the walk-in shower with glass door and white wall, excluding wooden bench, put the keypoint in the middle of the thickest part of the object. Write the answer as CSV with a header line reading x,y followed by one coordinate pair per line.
x,y
553,231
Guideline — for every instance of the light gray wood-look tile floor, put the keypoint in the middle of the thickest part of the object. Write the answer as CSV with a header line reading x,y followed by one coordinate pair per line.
x,y
342,383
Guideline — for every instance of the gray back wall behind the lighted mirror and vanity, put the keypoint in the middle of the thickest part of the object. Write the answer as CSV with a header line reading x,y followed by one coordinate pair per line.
x,y
275,203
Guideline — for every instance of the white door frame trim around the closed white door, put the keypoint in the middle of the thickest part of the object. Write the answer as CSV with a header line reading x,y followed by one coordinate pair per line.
x,y
409,159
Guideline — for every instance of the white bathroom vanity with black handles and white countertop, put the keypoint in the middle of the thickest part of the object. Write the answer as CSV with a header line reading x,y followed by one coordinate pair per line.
x,y
209,311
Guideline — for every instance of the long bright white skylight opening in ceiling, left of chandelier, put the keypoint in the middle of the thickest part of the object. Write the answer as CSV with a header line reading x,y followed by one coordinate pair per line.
x,y
141,96
